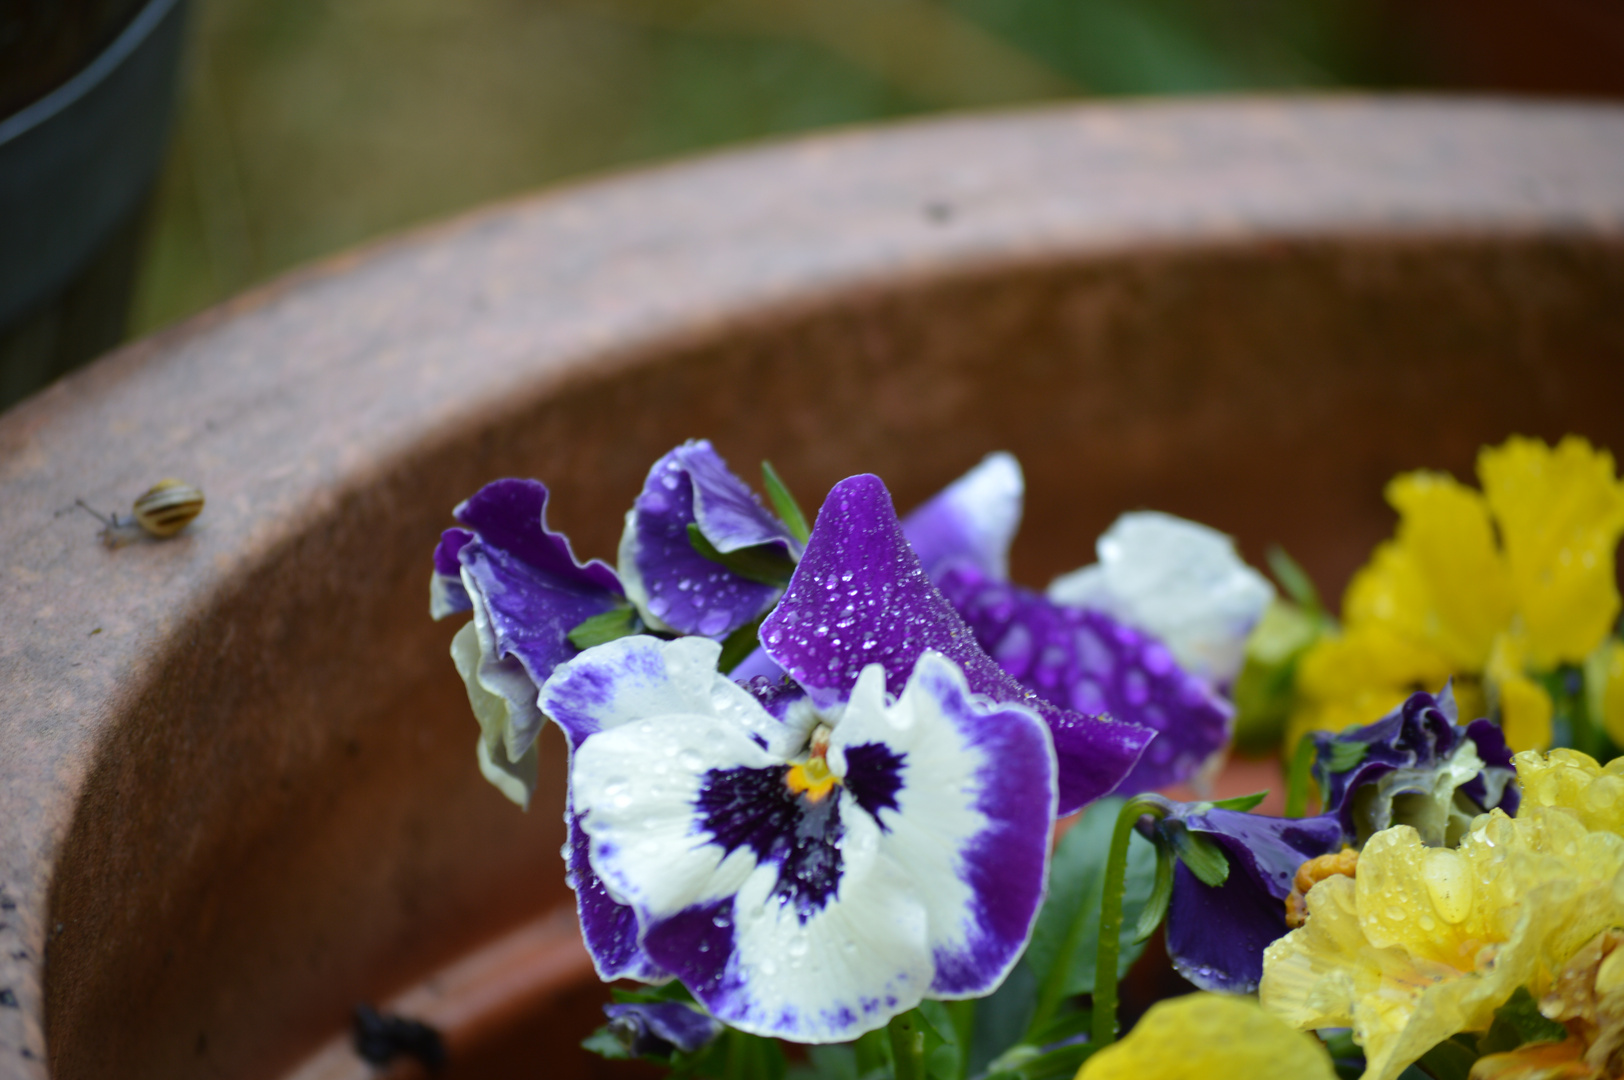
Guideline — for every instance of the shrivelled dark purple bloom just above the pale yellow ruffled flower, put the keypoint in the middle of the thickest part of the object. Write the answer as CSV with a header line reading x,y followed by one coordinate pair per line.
x,y
1415,740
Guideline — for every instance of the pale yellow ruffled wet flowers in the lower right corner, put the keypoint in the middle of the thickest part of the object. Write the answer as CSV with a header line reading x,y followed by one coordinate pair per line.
x,y
1427,943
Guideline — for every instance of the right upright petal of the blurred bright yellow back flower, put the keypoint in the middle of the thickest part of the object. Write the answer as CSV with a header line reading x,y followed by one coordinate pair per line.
x,y
1561,514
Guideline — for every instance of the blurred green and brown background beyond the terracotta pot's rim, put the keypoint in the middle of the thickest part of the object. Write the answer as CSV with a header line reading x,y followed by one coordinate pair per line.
x,y
308,126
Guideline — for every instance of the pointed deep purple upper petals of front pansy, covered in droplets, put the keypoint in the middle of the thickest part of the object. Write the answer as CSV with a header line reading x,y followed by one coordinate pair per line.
x,y
862,597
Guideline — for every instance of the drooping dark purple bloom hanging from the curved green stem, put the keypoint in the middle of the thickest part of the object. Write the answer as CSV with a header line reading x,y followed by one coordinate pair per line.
x,y
1217,935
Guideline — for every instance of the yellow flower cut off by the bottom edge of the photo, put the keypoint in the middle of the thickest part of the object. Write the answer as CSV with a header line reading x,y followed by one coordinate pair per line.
x,y
1211,1035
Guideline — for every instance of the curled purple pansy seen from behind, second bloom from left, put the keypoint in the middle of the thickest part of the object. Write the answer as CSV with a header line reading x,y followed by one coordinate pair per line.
x,y
686,590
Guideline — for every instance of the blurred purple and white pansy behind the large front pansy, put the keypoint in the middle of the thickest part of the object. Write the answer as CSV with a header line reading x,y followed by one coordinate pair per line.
x,y
1091,646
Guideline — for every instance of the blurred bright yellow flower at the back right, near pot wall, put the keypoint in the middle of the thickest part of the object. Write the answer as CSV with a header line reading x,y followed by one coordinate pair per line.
x,y
1490,585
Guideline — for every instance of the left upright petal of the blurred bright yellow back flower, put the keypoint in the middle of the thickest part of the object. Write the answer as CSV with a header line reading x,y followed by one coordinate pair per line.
x,y
1441,585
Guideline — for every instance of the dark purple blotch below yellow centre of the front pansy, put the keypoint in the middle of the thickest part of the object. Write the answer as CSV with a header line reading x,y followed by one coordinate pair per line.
x,y
756,810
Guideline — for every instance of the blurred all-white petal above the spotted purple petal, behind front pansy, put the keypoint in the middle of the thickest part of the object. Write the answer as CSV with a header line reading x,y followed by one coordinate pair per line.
x,y
1178,581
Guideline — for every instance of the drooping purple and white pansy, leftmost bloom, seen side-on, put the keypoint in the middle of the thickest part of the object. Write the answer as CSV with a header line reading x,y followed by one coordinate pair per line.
x,y
527,592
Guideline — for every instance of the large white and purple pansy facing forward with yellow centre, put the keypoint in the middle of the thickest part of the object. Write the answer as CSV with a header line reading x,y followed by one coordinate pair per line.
x,y
813,858
